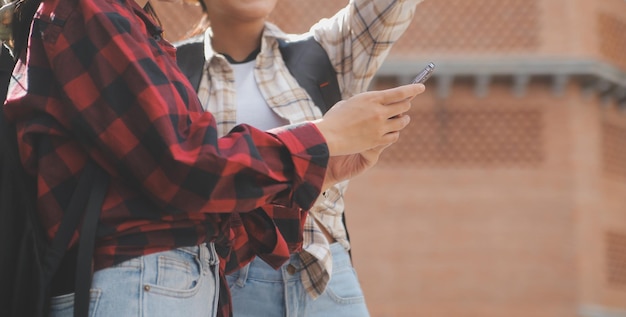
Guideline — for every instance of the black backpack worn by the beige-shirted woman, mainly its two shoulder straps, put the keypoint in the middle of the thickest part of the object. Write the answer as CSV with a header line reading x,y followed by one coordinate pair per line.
x,y
305,58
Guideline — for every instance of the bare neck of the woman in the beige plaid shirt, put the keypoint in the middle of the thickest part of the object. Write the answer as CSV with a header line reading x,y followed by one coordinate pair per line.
x,y
236,40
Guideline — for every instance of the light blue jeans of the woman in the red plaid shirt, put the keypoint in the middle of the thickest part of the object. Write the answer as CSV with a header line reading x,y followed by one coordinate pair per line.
x,y
180,282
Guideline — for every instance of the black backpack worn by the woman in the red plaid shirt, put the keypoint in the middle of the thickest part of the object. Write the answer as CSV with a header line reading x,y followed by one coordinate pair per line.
x,y
29,261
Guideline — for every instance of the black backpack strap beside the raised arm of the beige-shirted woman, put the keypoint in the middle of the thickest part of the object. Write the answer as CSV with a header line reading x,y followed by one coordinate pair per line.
x,y
309,64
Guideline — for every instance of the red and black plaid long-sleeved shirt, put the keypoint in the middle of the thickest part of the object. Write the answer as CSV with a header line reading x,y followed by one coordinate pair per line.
x,y
99,82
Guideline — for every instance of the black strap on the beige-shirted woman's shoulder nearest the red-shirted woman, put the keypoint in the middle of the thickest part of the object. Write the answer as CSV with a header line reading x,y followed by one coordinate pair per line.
x,y
190,57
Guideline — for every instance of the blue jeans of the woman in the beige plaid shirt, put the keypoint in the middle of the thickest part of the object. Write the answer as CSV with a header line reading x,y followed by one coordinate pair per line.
x,y
259,290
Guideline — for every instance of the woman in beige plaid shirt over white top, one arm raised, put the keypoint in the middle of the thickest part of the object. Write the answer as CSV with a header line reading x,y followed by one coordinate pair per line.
x,y
246,81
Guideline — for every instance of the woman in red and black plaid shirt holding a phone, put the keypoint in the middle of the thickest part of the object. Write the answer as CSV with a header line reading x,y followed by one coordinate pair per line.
x,y
98,82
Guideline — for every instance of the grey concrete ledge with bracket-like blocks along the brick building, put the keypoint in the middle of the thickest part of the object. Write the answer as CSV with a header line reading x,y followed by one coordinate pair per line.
x,y
593,75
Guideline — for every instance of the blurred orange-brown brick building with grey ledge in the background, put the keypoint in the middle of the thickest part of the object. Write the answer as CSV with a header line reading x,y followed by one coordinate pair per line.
x,y
506,196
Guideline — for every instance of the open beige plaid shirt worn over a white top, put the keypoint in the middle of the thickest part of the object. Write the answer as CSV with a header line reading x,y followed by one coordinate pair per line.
x,y
357,40
